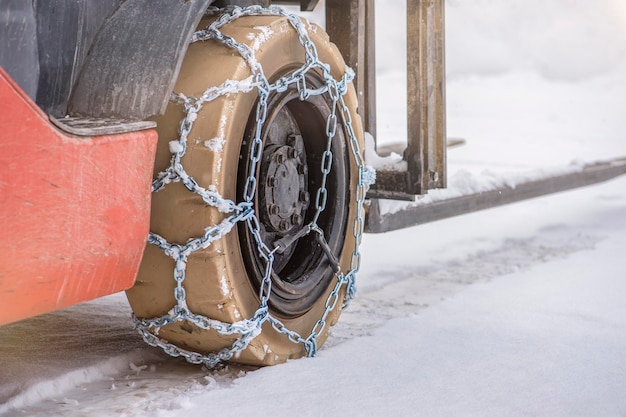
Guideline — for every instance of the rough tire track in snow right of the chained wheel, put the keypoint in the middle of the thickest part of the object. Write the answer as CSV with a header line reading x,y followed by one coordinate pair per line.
x,y
406,290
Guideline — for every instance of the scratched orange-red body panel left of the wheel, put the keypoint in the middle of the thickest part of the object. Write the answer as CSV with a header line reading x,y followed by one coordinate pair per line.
x,y
74,212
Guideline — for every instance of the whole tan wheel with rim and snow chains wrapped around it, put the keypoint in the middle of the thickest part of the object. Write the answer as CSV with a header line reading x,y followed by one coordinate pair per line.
x,y
301,186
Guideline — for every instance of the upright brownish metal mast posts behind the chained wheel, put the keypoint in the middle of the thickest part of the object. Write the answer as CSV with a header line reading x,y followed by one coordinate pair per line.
x,y
350,24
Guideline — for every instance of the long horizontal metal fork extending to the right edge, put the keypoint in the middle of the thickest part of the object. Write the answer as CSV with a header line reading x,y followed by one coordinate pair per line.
x,y
418,212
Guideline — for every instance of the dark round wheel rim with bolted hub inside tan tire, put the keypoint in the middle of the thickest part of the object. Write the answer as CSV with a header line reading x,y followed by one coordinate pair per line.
x,y
288,178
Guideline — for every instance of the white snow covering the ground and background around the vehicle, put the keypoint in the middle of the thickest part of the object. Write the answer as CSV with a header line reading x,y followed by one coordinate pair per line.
x,y
514,311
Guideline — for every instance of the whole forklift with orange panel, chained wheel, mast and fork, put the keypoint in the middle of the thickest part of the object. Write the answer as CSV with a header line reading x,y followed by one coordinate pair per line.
x,y
208,158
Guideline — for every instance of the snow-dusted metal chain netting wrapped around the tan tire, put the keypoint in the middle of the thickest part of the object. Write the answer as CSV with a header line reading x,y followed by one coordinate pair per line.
x,y
247,329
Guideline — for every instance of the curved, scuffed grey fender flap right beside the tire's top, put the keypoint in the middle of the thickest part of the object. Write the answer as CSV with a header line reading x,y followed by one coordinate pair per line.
x,y
134,60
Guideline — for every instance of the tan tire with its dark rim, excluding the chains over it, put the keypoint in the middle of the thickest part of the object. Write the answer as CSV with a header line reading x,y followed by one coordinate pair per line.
x,y
222,281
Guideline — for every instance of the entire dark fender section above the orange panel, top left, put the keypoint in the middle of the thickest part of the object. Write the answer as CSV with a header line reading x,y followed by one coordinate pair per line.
x,y
102,58
